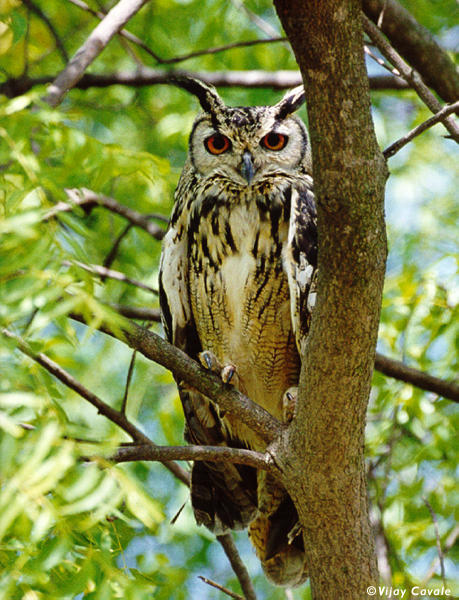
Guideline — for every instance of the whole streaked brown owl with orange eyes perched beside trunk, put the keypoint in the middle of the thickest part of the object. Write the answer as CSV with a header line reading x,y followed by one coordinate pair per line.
x,y
236,288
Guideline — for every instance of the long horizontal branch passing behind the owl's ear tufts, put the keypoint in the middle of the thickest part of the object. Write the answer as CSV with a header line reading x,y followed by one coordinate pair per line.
x,y
144,76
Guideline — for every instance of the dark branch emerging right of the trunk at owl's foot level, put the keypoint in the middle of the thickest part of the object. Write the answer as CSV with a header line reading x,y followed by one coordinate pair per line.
x,y
397,370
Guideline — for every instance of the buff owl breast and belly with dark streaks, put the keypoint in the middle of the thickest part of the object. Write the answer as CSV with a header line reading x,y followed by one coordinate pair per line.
x,y
239,291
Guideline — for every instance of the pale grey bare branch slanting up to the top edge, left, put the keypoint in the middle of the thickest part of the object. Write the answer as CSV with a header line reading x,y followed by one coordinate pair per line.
x,y
118,16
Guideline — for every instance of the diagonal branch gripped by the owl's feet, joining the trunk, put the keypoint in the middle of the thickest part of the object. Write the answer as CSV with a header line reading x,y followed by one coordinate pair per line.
x,y
153,347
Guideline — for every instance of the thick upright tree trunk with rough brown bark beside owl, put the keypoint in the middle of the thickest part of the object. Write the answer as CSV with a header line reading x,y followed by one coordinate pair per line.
x,y
321,456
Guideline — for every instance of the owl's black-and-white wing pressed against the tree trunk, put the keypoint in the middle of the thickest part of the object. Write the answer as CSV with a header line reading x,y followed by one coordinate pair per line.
x,y
301,259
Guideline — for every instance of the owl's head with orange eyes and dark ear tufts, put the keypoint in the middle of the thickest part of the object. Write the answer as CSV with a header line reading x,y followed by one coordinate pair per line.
x,y
245,144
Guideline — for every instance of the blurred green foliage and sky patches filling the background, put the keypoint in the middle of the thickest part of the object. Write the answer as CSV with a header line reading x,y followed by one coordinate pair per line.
x,y
74,527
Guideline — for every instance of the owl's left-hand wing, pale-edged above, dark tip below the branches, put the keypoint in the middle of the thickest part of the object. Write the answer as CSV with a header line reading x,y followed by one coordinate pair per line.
x,y
223,496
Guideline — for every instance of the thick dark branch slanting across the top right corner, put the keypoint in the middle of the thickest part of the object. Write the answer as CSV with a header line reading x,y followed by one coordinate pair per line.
x,y
417,46
